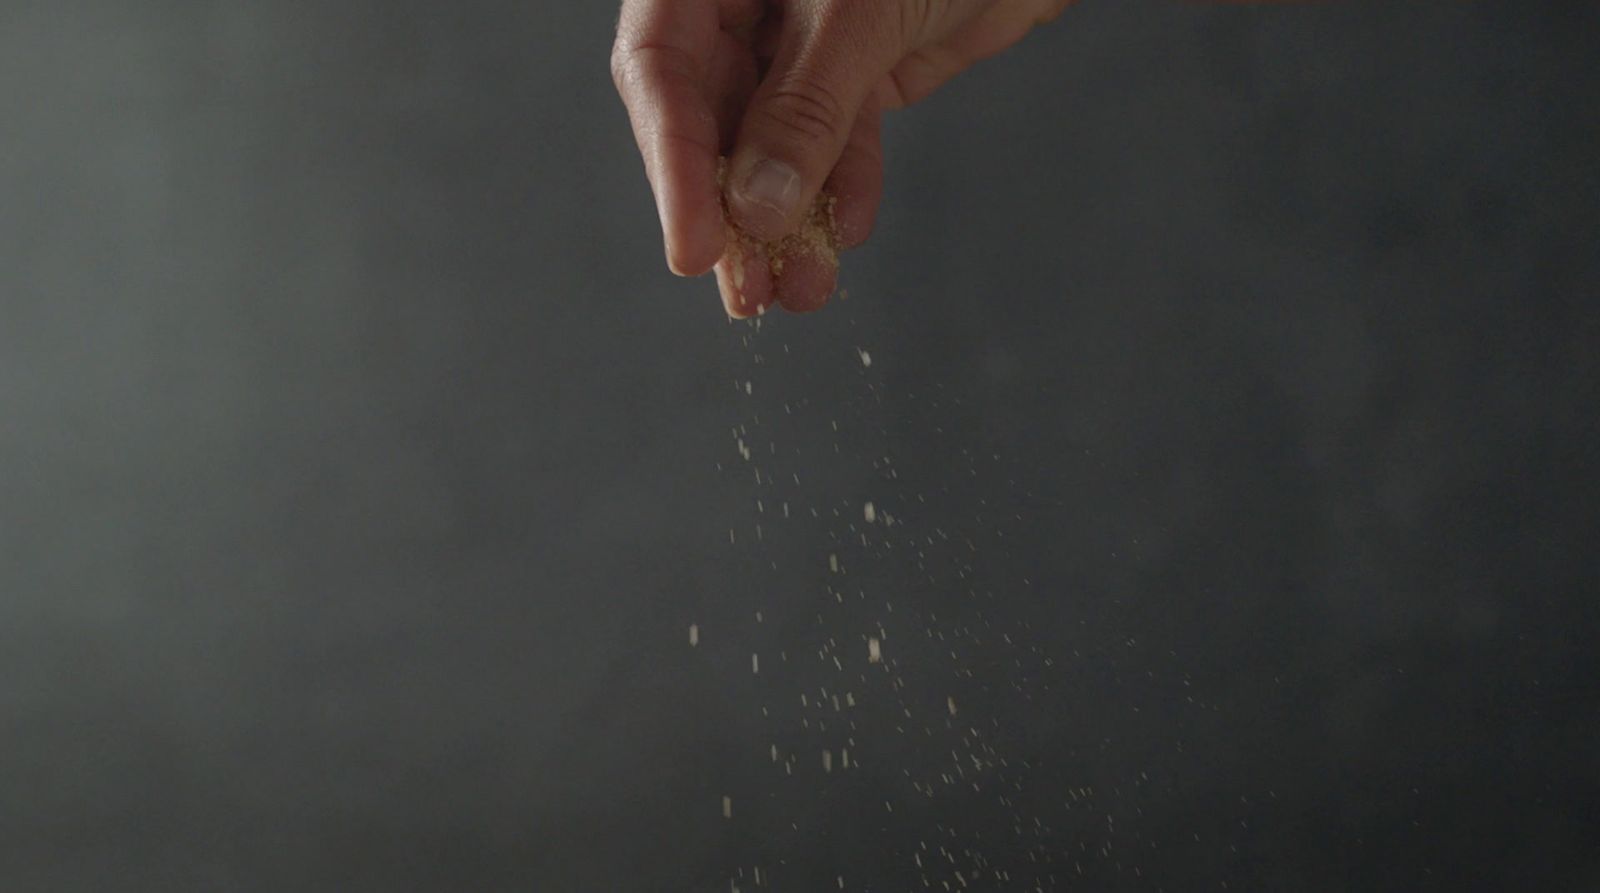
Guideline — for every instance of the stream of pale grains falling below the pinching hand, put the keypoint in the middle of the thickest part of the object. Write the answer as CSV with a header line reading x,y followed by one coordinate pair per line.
x,y
884,686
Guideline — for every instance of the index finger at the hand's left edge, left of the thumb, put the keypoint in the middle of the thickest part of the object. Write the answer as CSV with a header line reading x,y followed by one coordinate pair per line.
x,y
660,65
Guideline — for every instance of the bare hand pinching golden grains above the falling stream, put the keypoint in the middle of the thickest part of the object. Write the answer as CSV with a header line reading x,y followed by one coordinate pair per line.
x,y
791,92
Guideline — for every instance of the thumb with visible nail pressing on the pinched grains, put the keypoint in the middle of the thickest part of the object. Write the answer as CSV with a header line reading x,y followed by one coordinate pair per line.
x,y
831,55
